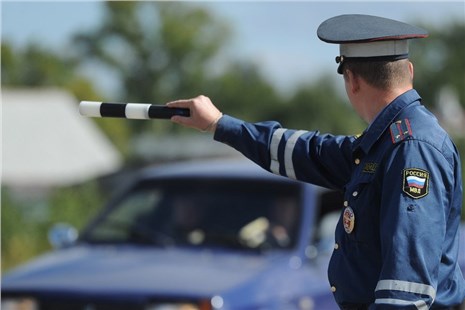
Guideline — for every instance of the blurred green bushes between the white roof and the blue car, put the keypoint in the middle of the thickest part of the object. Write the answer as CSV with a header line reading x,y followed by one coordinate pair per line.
x,y
26,221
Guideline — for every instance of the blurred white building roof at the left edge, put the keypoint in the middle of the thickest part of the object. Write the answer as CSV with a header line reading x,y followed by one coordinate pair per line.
x,y
46,142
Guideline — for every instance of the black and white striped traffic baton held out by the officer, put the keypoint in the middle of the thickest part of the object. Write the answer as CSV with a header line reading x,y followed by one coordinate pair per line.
x,y
129,110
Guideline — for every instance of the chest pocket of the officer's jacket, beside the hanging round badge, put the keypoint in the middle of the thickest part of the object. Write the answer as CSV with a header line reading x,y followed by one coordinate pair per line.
x,y
362,196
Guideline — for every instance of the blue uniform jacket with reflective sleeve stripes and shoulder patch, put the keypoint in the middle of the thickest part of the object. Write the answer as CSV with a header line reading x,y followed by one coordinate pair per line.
x,y
396,243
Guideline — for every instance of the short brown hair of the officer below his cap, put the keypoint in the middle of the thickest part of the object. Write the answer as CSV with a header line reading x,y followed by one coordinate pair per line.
x,y
381,74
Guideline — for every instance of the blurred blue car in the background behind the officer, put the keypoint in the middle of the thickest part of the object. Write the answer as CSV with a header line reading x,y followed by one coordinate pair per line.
x,y
198,235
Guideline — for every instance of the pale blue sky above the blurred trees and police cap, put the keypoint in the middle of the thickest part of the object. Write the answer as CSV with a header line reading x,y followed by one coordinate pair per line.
x,y
279,36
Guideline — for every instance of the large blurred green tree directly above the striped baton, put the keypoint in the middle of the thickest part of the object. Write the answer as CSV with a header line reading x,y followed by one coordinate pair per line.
x,y
157,50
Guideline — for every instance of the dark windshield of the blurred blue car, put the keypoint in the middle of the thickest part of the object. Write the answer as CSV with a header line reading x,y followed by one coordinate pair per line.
x,y
241,214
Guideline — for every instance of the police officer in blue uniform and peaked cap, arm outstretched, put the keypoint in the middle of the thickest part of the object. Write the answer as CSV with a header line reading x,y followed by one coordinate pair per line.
x,y
396,243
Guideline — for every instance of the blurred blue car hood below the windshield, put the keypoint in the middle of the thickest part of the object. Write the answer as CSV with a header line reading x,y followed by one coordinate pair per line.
x,y
91,270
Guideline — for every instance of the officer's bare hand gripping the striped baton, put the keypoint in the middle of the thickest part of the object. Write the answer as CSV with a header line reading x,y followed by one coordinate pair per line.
x,y
203,114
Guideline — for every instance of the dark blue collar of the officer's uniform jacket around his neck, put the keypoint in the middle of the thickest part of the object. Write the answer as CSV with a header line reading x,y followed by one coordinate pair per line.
x,y
385,119
